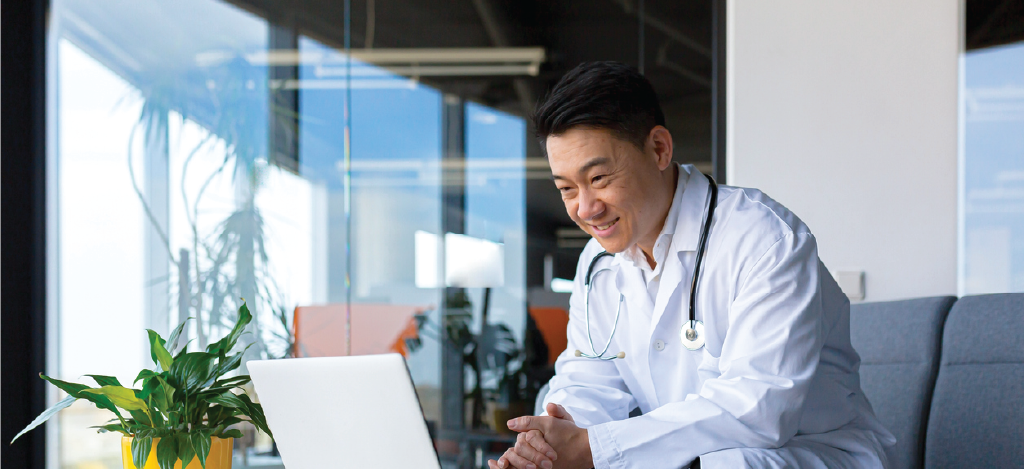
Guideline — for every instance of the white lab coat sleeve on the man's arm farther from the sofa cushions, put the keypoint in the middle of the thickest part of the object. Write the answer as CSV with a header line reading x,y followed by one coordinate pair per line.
x,y
592,391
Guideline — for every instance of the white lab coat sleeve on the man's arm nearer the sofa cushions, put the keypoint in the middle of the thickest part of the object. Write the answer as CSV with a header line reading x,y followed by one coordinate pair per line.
x,y
769,358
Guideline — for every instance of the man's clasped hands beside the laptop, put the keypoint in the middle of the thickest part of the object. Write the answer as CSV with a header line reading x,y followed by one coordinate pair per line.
x,y
547,443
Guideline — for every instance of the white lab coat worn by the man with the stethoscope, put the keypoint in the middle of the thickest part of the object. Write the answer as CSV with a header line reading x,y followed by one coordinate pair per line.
x,y
776,385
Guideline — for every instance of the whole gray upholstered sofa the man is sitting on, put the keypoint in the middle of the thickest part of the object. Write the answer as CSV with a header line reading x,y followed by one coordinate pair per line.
x,y
946,376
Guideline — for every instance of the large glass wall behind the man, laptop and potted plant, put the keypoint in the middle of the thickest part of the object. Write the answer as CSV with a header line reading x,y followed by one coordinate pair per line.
x,y
383,198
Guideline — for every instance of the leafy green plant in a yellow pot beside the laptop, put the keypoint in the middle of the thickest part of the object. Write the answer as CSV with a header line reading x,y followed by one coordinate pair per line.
x,y
184,413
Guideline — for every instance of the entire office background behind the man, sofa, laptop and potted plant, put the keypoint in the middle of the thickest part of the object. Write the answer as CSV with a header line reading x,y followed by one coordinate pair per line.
x,y
364,174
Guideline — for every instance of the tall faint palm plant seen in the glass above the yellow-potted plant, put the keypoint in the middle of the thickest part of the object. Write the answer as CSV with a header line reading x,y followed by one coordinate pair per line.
x,y
232,103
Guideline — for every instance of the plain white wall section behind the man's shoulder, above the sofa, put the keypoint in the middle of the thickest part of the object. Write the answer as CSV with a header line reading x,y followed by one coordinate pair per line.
x,y
847,113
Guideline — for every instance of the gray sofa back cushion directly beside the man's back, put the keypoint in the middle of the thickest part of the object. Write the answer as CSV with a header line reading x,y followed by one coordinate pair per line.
x,y
899,345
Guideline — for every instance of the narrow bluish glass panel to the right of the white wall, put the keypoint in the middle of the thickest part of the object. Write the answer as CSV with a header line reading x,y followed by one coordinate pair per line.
x,y
992,172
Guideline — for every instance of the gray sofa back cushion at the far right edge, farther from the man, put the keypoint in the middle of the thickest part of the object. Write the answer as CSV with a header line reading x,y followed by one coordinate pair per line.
x,y
976,416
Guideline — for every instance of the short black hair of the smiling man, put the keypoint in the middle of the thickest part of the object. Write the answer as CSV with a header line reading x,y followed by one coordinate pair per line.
x,y
606,96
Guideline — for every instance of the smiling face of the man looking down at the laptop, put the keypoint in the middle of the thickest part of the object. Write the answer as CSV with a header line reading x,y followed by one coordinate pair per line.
x,y
612,190
